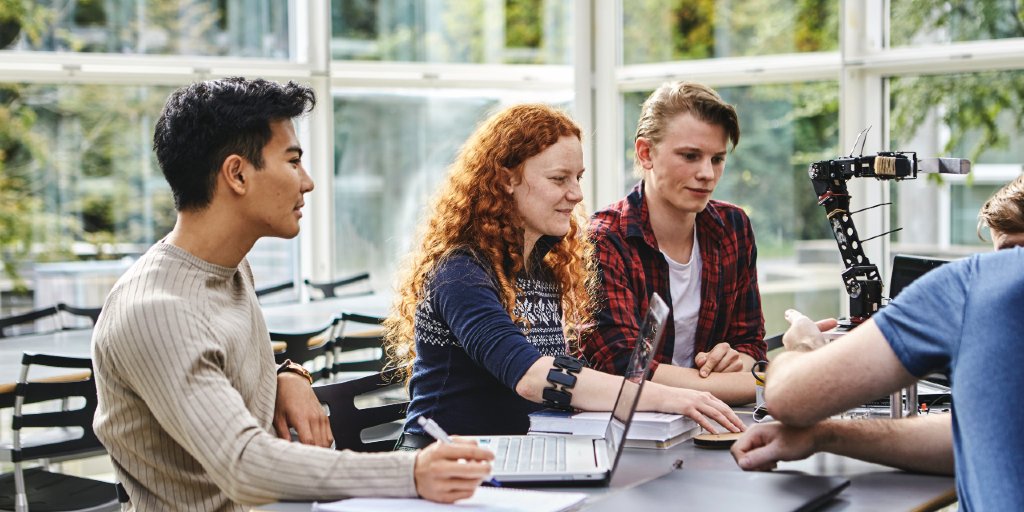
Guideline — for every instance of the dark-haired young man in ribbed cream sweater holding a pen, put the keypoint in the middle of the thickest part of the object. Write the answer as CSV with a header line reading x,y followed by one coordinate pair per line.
x,y
190,396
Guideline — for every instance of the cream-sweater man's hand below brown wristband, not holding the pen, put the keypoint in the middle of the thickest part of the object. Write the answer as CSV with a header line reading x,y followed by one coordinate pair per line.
x,y
298,408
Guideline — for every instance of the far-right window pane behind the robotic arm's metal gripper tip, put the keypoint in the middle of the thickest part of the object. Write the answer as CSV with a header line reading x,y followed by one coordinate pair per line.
x,y
968,115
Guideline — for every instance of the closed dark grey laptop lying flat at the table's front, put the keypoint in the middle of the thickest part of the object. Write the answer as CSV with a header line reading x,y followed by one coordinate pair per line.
x,y
722,490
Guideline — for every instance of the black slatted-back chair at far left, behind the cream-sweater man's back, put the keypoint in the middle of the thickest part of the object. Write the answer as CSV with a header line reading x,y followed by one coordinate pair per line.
x,y
69,436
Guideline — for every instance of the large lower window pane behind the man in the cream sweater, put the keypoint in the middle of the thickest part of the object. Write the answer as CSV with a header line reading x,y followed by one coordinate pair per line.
x,y
81,186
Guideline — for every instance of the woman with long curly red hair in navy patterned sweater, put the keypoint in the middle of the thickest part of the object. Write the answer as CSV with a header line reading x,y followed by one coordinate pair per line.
x,y
502,283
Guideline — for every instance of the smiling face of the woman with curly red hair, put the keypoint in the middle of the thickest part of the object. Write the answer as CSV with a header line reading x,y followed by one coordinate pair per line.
x,y
550,190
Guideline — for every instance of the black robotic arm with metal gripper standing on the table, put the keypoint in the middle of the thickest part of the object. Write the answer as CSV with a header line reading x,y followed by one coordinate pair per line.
x,y
829,178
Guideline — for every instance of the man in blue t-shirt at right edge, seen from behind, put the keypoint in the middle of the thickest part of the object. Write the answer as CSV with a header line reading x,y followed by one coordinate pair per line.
x,y
965,317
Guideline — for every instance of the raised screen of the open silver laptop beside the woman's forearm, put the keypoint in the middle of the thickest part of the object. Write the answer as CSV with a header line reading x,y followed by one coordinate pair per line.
x,y
650,342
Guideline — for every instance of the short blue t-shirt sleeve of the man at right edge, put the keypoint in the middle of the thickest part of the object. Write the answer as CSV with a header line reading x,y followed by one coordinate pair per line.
x,y
924,325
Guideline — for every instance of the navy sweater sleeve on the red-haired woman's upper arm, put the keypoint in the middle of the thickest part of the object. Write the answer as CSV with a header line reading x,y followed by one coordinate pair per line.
x,y
466,298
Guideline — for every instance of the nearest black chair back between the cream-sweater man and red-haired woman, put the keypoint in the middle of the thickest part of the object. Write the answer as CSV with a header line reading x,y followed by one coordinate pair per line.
x,y
373,429
